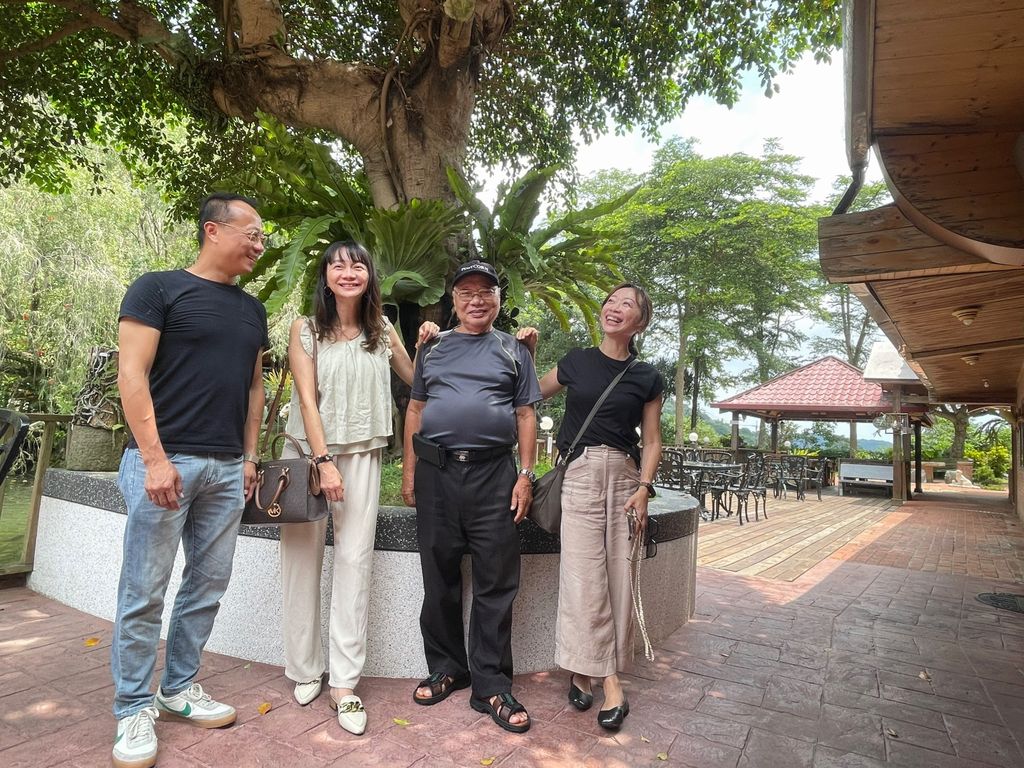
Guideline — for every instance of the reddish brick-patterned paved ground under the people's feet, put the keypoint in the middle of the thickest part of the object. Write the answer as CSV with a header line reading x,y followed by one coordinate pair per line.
x,y
851,665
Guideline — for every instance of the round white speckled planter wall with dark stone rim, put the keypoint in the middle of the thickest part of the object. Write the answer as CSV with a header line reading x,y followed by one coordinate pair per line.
x,y
78,562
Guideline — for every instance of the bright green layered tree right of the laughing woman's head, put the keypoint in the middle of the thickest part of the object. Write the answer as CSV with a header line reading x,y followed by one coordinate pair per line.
x,y
727,247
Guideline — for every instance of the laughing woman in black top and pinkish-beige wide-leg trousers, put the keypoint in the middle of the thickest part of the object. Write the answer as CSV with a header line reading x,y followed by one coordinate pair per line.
x,y
609,477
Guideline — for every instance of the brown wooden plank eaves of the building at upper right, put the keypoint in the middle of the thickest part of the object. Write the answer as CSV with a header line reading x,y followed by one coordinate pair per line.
x,y
944,82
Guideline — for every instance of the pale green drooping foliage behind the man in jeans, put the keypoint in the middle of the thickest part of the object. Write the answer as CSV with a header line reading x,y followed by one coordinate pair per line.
x,y
65,263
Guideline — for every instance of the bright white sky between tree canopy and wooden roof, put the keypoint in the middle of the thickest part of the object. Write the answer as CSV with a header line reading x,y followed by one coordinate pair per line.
x,y
807,117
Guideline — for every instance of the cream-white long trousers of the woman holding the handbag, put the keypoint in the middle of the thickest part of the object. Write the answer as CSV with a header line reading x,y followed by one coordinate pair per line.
x,y
302,563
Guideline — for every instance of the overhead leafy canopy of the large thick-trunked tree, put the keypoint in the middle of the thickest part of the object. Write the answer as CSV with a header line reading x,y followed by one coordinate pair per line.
x,y
156,83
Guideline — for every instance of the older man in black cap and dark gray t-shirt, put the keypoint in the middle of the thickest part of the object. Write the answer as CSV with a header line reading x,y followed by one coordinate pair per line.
x,y
473,400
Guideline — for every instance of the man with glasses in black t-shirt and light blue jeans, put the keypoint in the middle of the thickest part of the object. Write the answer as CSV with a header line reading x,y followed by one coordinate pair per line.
x,y
191,383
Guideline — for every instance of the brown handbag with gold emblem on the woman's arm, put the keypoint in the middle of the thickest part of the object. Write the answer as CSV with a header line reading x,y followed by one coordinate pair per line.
x,y
287,490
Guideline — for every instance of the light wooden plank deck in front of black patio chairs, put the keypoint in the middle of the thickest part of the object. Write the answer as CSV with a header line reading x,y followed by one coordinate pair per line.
x,y
796,537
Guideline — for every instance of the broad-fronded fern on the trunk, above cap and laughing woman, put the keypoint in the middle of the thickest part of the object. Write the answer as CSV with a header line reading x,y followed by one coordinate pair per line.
x,y
557,263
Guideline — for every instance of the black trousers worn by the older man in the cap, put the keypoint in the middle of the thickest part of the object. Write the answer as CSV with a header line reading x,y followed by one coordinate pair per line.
x,y
465,507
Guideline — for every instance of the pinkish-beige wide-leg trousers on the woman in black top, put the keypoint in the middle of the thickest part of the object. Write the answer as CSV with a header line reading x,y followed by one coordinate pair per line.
x,y
594,628
